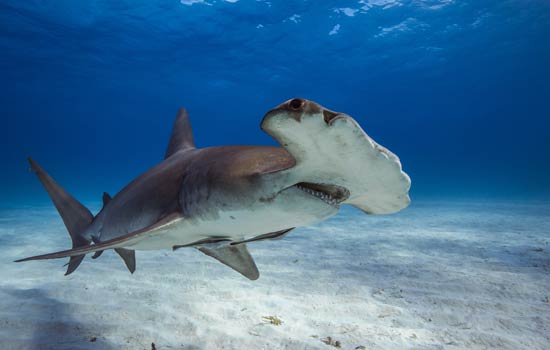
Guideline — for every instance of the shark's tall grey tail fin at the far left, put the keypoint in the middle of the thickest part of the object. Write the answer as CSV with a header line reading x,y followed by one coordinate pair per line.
x,y
75,216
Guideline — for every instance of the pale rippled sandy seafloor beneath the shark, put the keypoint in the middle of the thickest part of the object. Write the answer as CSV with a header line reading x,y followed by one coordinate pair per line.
x,y
440,275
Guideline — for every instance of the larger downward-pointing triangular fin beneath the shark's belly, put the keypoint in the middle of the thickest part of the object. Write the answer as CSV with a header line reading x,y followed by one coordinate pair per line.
x,y
236,257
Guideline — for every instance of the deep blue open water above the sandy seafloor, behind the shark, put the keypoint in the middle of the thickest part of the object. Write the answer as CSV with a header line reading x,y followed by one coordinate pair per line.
x,y
459,90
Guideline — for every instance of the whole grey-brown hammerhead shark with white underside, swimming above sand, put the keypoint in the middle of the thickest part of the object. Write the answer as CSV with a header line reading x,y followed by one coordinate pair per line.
x,y
218,199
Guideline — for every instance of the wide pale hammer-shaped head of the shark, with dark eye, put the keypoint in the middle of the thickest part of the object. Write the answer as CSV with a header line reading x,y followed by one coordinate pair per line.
x,y
336,161
